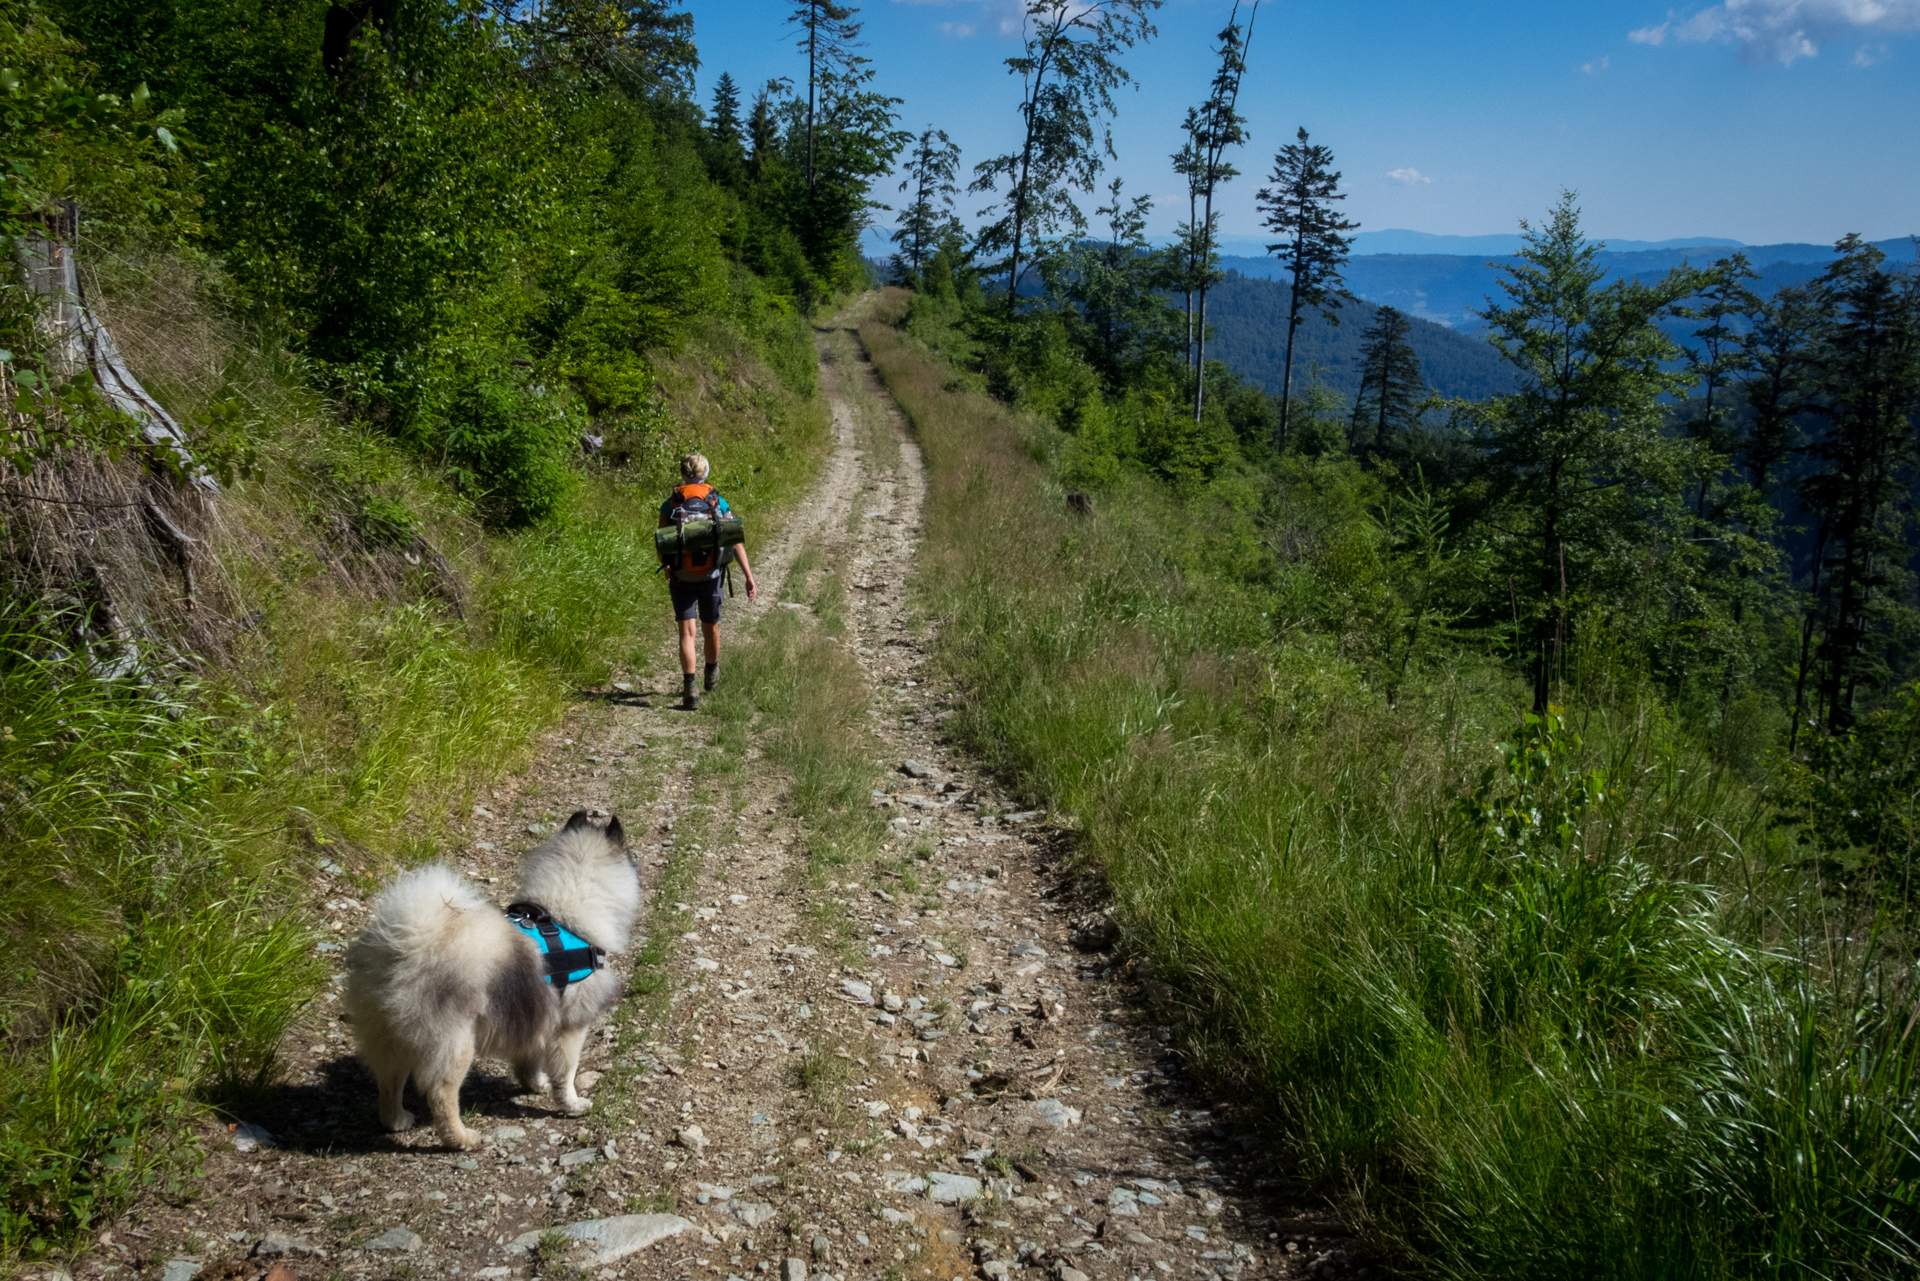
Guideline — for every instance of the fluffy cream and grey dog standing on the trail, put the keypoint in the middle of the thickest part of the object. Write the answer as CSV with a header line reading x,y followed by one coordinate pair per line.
x,y
441,977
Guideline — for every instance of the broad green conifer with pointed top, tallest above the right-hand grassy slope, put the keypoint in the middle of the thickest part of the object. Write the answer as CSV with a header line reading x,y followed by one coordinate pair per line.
x,y
1579,456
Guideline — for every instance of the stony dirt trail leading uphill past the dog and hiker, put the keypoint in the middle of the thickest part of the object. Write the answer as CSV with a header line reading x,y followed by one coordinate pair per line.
x,y
821,1078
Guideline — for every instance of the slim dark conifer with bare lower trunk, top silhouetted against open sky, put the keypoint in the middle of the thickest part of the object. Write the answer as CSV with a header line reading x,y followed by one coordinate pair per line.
x,y
1301,210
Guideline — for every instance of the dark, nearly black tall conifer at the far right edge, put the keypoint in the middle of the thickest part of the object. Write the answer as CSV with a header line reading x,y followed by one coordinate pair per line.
x,y
1867,387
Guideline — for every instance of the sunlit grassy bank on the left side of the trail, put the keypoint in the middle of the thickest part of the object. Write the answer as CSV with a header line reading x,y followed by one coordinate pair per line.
x,y
156,842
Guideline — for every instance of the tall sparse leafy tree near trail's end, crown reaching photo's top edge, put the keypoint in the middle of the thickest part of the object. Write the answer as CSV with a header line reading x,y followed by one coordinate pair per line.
x,y
1068,70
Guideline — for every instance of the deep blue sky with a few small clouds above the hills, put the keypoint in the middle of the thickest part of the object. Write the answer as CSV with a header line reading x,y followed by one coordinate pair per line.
x,y
1756,120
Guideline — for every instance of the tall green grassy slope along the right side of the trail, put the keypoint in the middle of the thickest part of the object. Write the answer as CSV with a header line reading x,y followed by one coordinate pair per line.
x,y
1560,1009
